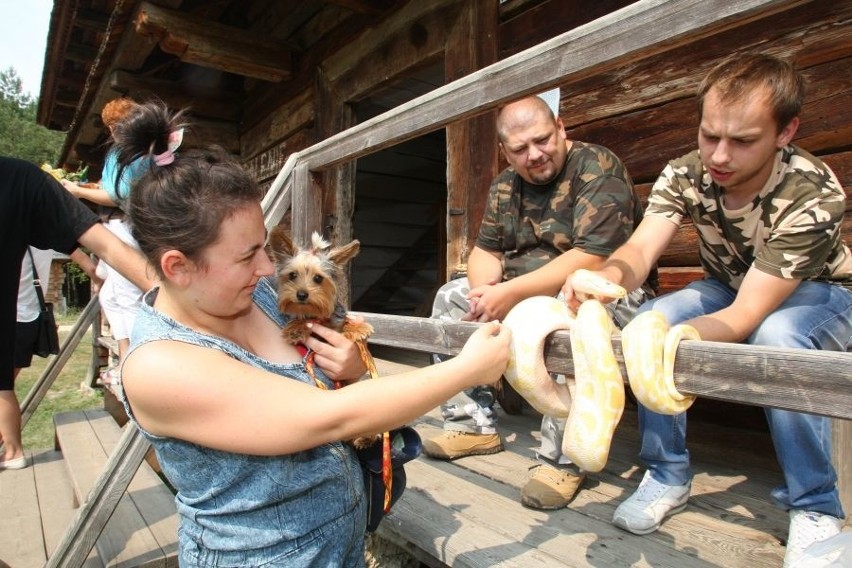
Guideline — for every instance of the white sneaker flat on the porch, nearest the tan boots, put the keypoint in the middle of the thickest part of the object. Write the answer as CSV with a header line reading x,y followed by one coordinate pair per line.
x,y
643,512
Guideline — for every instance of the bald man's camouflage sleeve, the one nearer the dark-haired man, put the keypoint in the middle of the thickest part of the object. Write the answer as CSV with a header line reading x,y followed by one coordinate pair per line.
x,y
603,215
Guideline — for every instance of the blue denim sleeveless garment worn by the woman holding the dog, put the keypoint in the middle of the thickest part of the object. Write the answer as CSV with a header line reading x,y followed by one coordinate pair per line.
x,y
301,509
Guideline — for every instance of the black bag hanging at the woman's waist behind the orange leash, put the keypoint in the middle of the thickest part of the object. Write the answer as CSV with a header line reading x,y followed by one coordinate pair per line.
x,y
405,446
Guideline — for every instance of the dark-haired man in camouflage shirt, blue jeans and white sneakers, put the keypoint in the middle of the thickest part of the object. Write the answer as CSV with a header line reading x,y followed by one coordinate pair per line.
x,y
777,273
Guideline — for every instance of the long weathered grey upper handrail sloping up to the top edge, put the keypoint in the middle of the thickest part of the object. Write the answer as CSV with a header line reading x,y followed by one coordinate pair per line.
x,y
643,29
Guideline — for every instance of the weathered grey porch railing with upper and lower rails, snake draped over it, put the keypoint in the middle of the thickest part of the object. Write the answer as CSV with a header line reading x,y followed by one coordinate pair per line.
x,y
816,382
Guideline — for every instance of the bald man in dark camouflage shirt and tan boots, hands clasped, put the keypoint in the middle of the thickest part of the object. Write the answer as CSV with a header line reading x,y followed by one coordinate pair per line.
x,y
560,206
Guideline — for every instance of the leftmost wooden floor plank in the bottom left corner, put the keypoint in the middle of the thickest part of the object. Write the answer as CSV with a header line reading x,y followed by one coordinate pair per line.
x,y
21,538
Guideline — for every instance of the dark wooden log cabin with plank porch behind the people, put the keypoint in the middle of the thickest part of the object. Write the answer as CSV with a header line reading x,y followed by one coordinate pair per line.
x,y
375,120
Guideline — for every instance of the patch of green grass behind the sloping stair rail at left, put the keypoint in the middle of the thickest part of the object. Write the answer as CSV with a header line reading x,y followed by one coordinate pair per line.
x,y
68,392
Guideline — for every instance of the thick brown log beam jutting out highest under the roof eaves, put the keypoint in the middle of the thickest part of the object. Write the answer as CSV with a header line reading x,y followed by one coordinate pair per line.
x,y
210,44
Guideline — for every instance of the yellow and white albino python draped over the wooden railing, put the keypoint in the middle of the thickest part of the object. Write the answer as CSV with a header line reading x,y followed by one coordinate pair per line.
x,y
595,406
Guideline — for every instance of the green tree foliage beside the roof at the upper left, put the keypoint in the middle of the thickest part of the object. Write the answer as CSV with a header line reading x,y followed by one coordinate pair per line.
x,y
20,136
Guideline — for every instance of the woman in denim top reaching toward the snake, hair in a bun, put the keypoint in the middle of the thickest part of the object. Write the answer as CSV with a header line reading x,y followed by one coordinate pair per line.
x,y
252,446
